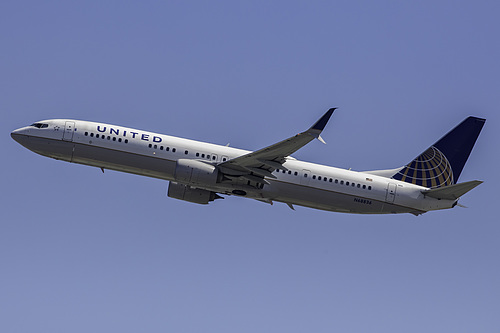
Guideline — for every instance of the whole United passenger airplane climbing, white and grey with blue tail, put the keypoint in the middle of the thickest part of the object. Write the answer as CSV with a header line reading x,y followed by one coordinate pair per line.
x,y
201,172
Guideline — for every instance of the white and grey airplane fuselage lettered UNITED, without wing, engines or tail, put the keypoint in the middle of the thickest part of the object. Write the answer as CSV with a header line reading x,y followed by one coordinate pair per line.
x,y
155,155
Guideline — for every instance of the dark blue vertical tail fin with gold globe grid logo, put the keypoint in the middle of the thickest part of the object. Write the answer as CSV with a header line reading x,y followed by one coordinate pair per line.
x,y
443,162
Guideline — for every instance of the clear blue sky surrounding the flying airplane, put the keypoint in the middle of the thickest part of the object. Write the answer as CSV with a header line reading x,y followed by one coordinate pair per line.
x,y
84,251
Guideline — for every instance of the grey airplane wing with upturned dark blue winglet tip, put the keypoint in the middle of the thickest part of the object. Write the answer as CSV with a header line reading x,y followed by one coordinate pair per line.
x,y
256,165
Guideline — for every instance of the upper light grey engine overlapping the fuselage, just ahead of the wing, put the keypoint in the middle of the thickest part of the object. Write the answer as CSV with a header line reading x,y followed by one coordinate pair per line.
x,y
195,172
